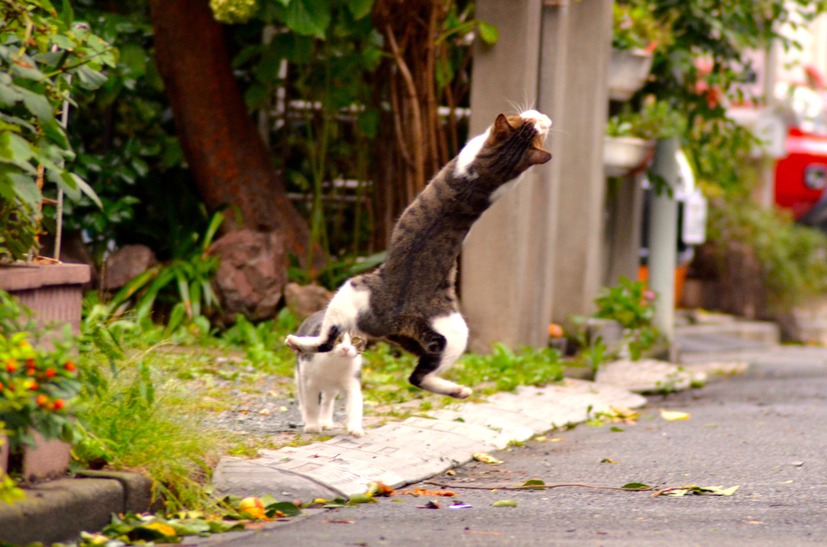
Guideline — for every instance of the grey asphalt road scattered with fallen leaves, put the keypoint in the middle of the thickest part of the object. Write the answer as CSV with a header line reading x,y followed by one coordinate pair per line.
x,y
763,431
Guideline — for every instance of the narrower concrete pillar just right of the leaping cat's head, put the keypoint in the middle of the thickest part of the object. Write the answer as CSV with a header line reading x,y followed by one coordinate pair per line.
x,y
579,211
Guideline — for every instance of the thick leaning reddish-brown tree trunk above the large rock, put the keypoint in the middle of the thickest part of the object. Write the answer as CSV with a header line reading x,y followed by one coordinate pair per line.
x,y
231,164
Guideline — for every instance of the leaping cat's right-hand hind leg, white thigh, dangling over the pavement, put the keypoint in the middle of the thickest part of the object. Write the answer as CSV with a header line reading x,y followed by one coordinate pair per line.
x,y
426,375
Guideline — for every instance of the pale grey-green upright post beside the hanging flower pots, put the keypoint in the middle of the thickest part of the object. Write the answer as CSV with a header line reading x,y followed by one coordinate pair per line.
x,y
663,237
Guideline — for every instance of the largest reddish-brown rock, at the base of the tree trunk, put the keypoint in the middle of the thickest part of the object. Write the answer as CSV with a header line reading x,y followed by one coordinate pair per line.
x,y
252,273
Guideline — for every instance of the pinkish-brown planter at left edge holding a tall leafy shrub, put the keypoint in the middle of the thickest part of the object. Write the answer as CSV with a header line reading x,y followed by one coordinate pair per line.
x,y
53,292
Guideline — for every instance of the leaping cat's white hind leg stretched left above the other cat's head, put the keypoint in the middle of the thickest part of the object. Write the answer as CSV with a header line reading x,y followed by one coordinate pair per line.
x,y
340,316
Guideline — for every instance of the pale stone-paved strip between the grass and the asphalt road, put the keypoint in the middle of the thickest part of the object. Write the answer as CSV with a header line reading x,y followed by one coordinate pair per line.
x,y
418,447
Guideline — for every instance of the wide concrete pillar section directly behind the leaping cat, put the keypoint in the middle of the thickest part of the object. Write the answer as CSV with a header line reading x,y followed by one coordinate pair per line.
x,y
506,249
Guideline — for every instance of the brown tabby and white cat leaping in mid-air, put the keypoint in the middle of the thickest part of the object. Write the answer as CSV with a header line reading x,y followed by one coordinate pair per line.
x,y
410,299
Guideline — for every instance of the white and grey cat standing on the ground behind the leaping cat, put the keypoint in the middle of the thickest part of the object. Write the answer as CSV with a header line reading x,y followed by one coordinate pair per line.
x,y
320,377
